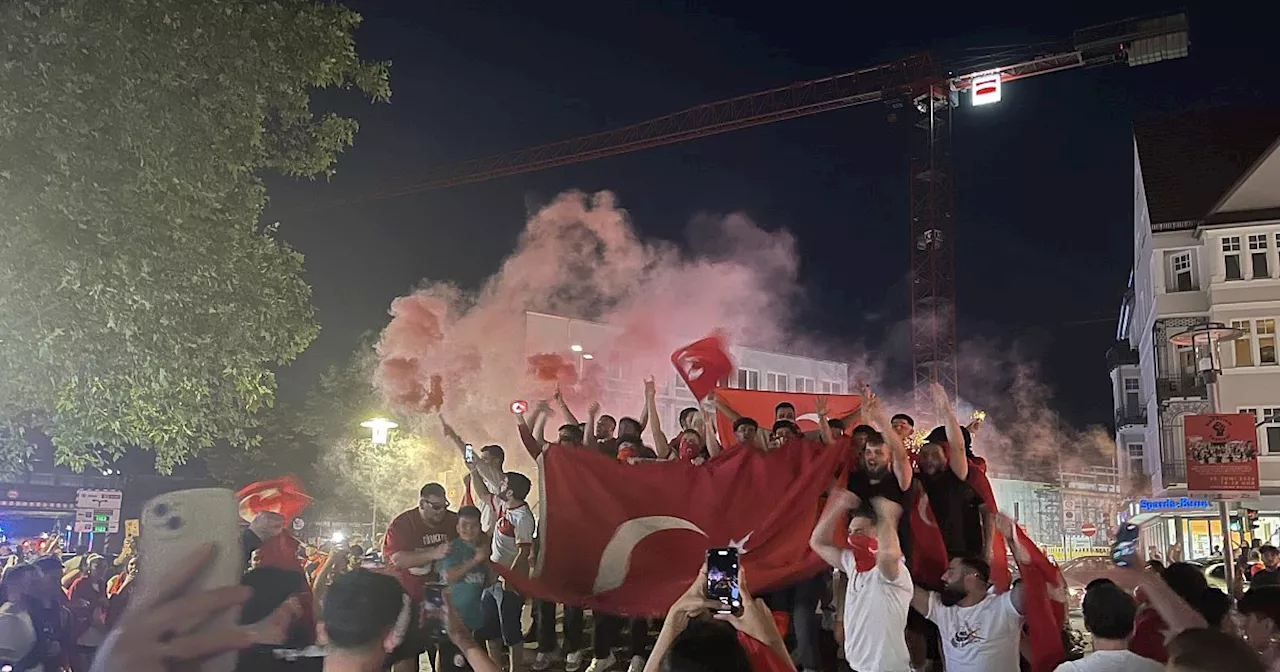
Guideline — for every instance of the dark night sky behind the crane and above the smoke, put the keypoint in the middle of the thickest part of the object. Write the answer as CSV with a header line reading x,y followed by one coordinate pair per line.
x,y
1045,228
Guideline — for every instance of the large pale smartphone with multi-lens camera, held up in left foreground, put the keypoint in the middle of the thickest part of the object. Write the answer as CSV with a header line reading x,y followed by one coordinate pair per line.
x,y
173,527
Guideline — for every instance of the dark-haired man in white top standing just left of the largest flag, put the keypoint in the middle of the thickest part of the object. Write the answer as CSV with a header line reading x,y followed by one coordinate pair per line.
x,y
513,546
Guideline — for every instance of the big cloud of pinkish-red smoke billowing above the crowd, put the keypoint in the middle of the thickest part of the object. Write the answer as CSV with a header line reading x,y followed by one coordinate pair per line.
x,y
580,258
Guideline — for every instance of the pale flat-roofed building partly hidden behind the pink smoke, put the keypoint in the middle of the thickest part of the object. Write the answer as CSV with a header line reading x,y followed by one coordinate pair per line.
x,y
624,395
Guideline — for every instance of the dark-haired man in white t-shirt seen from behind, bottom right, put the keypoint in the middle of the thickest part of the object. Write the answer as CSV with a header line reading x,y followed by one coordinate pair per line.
x,y
1109,615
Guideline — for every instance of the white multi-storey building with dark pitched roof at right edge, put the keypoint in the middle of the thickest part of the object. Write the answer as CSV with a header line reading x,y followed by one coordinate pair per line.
x,y
1206,239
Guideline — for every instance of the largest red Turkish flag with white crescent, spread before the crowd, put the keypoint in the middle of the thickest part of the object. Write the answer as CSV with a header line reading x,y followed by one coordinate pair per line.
x,y
628,540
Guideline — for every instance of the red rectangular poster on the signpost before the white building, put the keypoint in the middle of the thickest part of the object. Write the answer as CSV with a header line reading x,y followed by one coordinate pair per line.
x,y
1222,456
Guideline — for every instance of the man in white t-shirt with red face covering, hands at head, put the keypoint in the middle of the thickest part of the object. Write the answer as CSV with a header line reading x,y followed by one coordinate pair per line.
x,y
880,587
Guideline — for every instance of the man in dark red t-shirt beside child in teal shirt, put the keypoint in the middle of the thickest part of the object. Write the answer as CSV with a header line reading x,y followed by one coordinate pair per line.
x,y
415,541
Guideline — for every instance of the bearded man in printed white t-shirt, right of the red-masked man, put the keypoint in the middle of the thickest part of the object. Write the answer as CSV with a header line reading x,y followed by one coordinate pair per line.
x,y
981,632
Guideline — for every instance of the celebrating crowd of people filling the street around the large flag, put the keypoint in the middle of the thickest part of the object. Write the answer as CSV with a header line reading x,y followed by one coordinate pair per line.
x,y
437,586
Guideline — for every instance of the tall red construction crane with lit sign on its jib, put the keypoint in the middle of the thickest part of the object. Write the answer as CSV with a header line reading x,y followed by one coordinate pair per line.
x,y
918,86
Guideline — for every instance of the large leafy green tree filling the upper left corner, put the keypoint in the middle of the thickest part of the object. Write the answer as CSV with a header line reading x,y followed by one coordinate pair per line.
x,y
141,301
